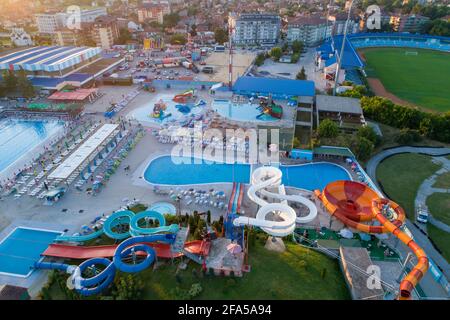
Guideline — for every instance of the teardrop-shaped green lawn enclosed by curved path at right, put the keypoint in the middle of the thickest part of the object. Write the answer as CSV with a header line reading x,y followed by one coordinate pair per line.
x,y
401,175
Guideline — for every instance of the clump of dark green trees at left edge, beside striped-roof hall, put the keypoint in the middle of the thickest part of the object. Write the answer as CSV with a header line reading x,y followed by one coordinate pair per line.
x,y
16,84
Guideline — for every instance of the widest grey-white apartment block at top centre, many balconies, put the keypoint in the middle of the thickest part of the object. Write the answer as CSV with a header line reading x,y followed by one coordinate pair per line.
x,y
257,28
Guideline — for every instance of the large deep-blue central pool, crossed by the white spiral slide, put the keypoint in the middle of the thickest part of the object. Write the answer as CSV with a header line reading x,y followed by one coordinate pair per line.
x,y
164,171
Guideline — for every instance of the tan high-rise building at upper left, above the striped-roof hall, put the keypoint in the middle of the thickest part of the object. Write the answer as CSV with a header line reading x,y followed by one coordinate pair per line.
x,y
105,31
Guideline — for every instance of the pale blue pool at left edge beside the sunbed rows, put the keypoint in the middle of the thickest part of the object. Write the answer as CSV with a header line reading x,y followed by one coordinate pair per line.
x,y
17,137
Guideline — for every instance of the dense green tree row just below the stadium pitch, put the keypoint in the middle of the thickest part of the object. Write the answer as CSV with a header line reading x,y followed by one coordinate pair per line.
x,y
435,126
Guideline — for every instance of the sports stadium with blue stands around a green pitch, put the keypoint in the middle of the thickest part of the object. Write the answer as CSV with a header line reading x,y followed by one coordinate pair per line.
x,y
406,68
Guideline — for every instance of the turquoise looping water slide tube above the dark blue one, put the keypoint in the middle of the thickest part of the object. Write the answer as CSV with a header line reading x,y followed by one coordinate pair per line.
x,y
125,217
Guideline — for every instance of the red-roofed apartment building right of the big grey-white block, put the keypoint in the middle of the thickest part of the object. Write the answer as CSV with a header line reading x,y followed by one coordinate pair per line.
x,y
310,30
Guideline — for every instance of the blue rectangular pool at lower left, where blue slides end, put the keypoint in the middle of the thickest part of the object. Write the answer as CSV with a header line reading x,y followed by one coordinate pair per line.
x,y
22,248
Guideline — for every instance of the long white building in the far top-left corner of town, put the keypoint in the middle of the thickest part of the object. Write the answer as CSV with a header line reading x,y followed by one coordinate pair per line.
x,y
49,22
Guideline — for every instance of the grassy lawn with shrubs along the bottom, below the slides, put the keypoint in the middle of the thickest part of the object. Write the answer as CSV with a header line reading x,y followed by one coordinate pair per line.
x,y
294,274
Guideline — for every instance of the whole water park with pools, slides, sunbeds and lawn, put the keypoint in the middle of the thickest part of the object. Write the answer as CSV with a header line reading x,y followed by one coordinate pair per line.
x,y
107,200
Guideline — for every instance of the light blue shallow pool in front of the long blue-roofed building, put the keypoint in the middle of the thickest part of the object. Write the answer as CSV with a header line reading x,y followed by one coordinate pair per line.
x,y
239,112
